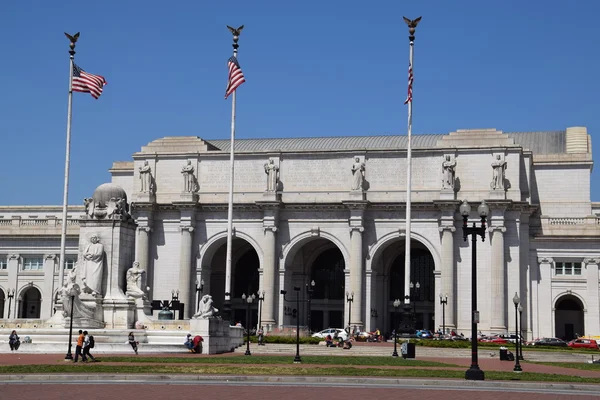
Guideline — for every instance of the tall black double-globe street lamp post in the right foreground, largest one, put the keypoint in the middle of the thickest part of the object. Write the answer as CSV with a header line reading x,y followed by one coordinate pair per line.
x,y
474,372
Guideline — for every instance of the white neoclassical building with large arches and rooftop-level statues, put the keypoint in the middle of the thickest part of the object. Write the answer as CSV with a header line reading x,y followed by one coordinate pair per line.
x,y
332,210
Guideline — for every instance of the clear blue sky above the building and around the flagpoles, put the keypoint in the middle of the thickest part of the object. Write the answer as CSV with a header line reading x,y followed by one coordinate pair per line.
x,y
313,68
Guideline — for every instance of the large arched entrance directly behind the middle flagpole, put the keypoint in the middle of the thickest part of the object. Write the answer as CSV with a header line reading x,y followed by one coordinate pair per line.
x,y
245,278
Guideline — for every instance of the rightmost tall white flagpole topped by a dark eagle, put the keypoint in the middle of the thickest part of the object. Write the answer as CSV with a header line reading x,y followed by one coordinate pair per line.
x,y
411,37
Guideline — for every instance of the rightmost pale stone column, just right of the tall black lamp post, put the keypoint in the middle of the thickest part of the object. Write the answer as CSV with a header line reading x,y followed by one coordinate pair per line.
x,y
497,284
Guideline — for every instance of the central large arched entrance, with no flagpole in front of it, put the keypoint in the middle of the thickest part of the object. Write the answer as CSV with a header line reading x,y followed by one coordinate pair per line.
x,y
319,260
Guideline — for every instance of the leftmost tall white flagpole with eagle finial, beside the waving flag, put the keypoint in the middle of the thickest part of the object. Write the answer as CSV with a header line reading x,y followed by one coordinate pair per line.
x,y
63,236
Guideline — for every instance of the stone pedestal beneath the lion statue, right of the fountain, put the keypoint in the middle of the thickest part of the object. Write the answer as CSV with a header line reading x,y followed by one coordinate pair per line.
x,y
219,337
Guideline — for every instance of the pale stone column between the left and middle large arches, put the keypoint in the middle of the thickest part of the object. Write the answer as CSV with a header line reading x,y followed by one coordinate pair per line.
x,y
268,317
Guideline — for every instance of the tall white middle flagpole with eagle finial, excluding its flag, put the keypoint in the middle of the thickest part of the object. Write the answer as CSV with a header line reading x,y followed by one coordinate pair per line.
x,y
227,304
